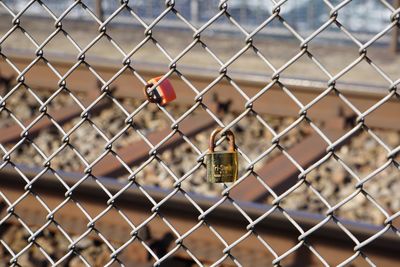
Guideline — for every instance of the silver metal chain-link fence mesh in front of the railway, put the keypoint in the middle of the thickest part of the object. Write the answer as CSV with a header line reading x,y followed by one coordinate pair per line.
x,y
222,10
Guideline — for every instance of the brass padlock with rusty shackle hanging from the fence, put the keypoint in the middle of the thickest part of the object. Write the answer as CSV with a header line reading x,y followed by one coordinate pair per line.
x,y
222,166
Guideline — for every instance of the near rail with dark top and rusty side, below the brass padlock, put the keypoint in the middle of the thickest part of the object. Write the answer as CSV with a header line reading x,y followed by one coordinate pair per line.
x,y
330,241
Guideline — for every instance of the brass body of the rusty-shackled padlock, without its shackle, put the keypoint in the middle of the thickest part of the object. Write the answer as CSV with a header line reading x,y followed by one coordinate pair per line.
x,y
222,167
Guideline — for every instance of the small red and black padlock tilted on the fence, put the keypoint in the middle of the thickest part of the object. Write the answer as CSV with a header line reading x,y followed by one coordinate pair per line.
x,y
162,94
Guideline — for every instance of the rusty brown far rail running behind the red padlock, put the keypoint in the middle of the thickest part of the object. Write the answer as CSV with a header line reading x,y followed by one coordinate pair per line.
x,y
81,80
